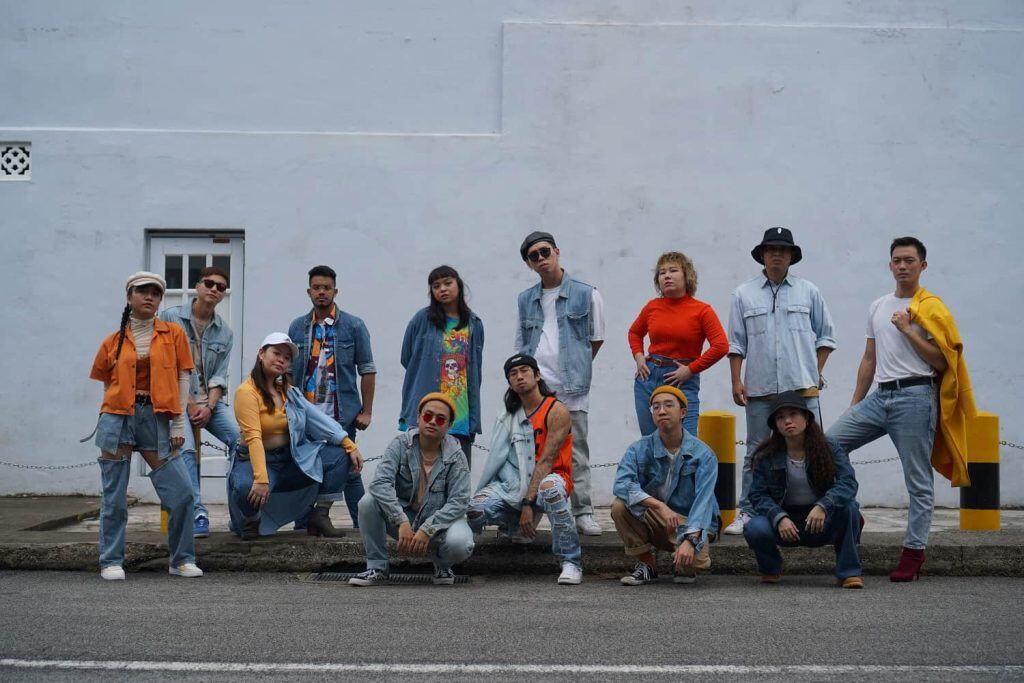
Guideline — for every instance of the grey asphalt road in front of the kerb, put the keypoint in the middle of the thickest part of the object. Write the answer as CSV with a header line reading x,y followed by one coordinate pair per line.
x,y
237,627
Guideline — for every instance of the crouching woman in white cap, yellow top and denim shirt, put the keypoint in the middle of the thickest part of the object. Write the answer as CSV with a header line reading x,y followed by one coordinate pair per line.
x,y
293,455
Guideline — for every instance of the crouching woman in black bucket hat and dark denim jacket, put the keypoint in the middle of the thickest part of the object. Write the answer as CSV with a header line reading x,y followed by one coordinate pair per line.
x,y
802,494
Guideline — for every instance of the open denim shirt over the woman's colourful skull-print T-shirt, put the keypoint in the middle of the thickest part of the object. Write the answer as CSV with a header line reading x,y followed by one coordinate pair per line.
x,y
421,357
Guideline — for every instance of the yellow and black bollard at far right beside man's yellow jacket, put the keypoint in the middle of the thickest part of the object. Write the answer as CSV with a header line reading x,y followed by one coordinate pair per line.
x,y
980,501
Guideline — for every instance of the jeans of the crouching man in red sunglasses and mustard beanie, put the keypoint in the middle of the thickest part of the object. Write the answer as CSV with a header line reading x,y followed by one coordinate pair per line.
x,y
447,548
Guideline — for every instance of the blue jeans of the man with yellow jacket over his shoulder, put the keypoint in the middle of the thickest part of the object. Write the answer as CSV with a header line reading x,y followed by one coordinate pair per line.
x,y
909,416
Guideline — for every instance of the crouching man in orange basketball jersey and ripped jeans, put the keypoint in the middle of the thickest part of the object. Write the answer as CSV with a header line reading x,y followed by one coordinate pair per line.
x,y
530,471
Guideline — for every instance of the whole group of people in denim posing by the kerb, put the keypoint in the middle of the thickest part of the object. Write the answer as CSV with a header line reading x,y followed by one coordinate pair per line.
x,y
292,440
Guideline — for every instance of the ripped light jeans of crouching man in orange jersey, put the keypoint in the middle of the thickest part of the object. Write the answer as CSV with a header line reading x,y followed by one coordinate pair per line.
x,y
488,507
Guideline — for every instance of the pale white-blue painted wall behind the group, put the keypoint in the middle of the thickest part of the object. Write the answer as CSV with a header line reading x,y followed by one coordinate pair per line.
x,y
388,138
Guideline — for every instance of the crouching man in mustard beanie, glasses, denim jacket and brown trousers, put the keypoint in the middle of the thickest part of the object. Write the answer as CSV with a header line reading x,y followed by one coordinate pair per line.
x,y
665,495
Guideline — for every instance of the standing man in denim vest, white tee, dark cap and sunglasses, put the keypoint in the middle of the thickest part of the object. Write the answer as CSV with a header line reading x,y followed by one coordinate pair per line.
x,y
561,323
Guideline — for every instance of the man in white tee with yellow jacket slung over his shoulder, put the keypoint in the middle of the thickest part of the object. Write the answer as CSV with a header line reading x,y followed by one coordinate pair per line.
x,y
913,349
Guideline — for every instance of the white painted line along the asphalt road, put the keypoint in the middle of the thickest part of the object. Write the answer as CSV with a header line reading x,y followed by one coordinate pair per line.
x,y
426,668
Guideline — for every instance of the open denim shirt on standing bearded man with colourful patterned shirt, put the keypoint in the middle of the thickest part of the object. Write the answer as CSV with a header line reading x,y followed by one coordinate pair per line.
x,y
352,355
